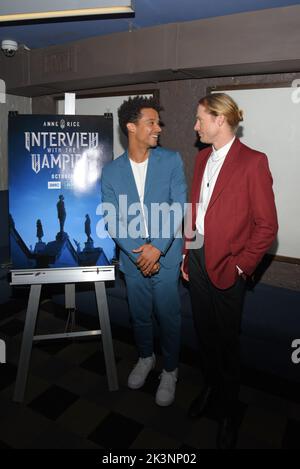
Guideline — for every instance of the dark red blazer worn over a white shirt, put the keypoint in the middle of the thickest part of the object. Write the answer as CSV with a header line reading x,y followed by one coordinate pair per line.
x,y
240,222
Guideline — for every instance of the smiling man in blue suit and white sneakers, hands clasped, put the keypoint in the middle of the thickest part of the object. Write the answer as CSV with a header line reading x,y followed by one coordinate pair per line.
x,y
144,193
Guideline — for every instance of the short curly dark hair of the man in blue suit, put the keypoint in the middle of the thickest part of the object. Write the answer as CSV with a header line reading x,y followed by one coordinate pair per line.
x,y
130,110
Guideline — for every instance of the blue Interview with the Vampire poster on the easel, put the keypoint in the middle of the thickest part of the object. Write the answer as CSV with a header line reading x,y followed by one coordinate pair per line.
x,y
55,165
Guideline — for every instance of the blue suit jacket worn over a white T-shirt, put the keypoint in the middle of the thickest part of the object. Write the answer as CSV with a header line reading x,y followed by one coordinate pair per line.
x,y
165,184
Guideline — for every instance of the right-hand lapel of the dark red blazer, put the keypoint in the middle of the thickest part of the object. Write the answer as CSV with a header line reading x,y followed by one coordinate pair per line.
x,y
227,170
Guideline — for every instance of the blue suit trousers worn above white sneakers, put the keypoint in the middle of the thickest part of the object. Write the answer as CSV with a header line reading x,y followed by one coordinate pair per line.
x,y
156,295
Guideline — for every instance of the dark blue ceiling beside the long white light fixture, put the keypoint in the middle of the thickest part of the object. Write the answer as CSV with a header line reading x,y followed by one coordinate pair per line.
x,y
147,13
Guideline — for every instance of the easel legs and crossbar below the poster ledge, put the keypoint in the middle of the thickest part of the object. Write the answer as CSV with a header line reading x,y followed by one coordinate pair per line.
x,y
29,337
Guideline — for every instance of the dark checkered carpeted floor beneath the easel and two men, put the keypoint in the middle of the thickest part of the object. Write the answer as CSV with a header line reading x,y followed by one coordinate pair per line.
x,y
68,405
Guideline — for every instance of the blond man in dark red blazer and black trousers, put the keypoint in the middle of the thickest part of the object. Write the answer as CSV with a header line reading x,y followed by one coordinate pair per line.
x,y
233,218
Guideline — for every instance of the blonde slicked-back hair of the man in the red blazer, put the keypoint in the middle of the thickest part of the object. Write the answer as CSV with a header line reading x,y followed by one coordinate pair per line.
x,y
219,104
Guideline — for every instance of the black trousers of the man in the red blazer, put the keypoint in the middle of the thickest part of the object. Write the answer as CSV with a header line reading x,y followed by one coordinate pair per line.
x,y
217,318
